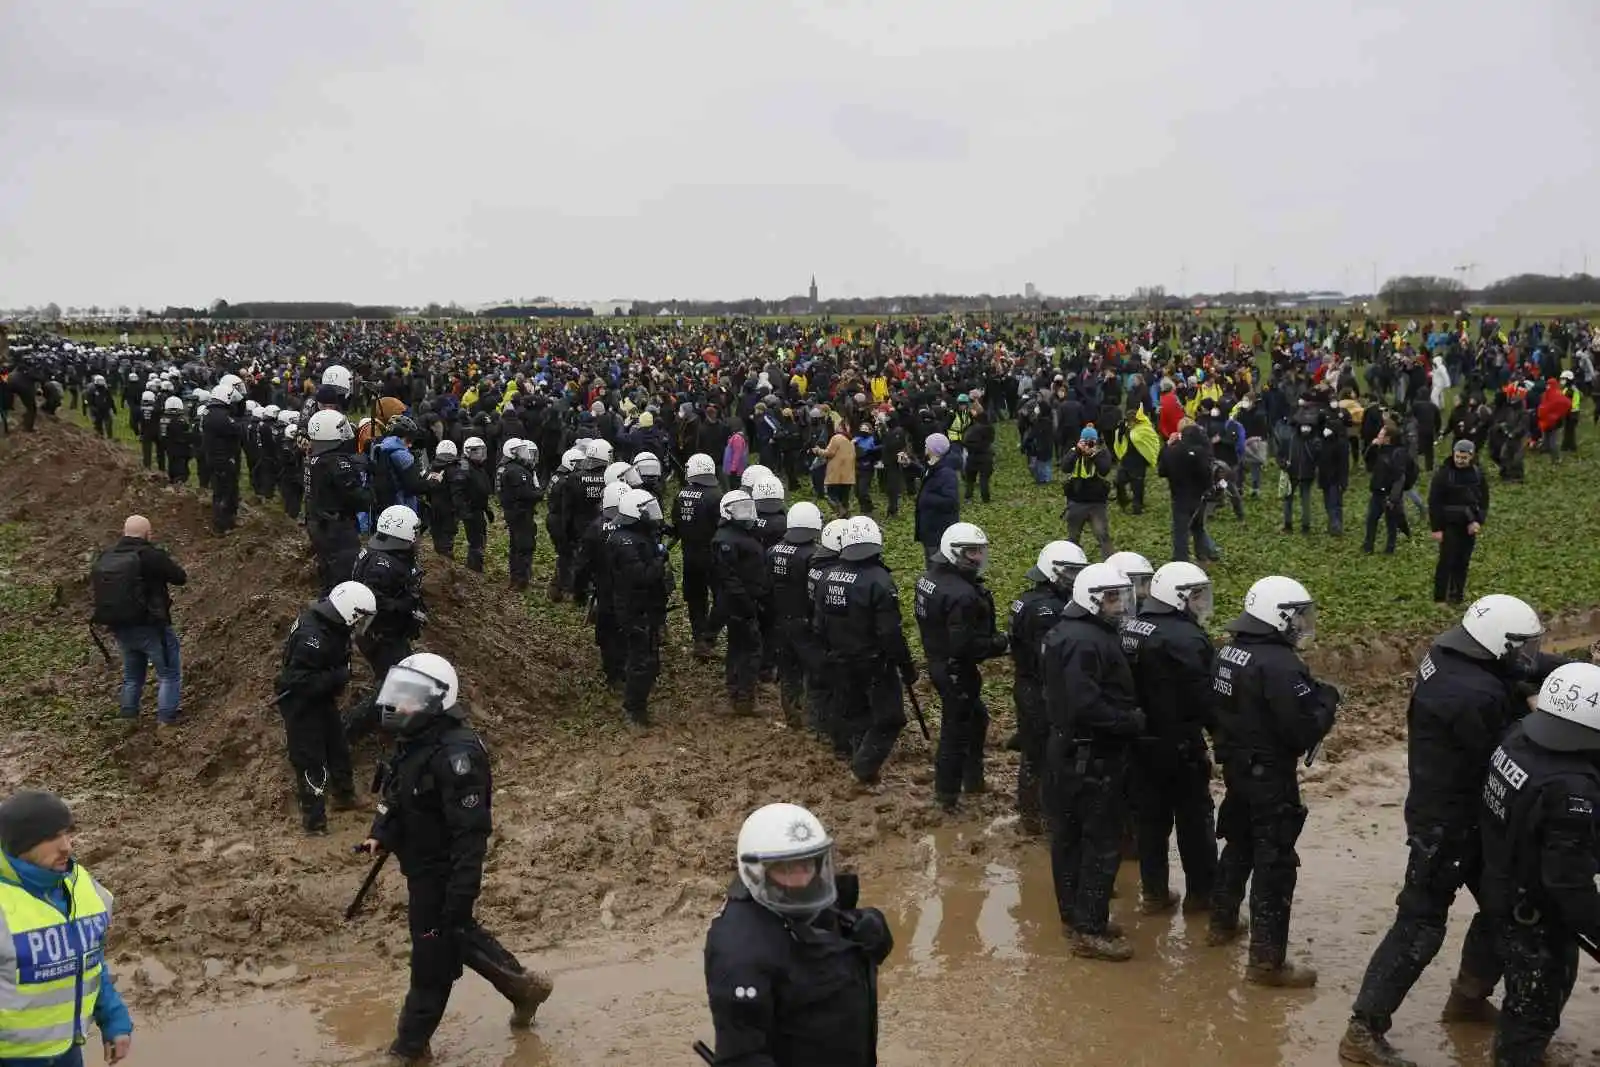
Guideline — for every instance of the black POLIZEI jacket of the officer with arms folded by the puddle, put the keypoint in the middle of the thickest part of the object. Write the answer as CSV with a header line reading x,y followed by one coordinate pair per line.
x,y
1268,706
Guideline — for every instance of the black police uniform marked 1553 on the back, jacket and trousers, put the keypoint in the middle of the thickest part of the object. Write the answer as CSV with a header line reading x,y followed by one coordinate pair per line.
x,y
855,613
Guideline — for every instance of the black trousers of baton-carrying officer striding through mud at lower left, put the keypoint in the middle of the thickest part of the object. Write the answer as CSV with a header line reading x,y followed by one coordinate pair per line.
x,y
438,959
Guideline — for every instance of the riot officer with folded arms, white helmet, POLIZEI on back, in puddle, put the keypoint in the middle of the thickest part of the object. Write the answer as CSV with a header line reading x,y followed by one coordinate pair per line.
x,y
1271,713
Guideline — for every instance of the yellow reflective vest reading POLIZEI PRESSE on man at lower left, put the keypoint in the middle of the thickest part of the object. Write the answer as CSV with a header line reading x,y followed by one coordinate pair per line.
x,y
50,967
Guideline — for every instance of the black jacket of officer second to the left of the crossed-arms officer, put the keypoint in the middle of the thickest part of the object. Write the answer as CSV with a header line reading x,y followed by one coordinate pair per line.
x,y
1089,685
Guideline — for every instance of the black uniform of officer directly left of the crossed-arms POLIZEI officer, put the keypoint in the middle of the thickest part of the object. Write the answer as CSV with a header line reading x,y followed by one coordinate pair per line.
x,y
1172,769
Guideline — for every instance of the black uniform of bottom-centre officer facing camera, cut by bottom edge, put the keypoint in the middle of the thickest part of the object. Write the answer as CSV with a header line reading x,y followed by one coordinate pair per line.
x,y
796,994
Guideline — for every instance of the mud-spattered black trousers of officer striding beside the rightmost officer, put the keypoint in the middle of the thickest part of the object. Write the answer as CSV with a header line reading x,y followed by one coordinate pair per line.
x,y
1441,863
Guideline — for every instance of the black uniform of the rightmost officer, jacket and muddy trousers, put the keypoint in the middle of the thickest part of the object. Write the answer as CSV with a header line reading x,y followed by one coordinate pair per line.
x,y
1538,820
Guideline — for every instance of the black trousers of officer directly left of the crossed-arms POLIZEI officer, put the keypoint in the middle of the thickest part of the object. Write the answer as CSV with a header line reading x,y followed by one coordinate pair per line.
x,y
1172,789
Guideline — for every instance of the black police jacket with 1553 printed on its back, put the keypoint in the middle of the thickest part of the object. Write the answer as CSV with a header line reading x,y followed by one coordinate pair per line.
x,y
855,612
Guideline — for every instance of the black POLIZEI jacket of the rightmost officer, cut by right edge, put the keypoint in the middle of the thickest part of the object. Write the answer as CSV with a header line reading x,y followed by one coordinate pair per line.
x,y
1538,821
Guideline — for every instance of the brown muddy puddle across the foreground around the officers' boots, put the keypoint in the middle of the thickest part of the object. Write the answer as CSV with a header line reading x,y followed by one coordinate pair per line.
x,y
982,975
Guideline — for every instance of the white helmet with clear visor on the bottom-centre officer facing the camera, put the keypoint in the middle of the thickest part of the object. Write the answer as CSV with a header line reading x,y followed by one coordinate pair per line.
x,y
786,861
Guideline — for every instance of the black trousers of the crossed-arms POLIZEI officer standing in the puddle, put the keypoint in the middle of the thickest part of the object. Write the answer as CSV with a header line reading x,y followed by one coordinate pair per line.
x,y
1260,823
